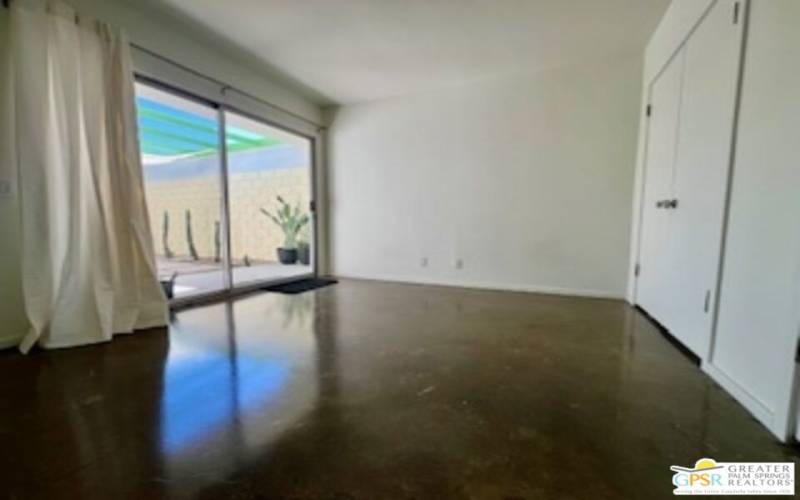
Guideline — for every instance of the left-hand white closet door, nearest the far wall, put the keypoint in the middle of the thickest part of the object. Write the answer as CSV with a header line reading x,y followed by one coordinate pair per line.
x,y
665,92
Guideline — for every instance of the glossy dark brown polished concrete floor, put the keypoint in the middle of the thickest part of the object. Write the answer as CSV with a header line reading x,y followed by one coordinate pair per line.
x,y
368,390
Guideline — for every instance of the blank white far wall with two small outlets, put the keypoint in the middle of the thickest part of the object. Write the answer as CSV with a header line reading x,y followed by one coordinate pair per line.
x,y
527,179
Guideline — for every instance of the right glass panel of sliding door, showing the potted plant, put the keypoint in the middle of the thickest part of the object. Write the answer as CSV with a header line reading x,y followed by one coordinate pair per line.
x,y
269,196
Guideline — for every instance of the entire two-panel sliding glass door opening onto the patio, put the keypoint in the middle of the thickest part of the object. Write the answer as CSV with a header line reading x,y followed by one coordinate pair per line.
x,y
237,215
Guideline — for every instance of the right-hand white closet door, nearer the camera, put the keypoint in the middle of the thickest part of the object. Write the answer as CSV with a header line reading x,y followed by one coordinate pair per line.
x,y
702,165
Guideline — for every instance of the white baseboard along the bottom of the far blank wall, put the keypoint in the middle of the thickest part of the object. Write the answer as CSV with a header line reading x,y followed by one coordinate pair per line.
x,y
483,285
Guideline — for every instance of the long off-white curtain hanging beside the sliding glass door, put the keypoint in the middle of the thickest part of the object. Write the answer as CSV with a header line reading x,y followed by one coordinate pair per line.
x,y
88,262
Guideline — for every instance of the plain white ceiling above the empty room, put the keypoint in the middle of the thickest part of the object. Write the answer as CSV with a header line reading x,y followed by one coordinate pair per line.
x,y
346,51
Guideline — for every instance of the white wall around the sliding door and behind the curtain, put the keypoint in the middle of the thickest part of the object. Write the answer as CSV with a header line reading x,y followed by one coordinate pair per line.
x,y
169,37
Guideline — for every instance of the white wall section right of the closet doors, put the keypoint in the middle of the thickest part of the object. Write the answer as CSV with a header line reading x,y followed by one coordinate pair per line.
x,y
759,310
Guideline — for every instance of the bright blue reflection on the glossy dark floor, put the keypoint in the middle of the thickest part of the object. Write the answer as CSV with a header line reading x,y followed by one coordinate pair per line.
x,y
204,393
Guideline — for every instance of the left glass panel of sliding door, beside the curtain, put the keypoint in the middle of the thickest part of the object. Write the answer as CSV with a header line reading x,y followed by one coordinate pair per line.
x,y
179,141
